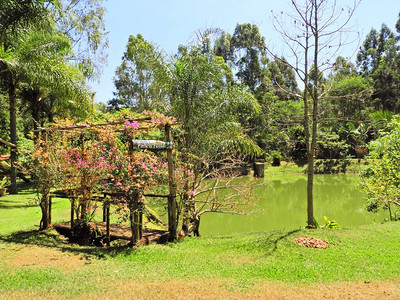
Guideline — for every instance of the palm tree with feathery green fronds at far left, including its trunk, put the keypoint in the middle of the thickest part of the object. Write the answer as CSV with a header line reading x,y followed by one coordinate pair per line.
x,y
37,59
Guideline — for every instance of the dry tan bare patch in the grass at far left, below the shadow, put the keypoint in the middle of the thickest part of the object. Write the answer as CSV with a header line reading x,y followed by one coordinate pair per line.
x,y
20,256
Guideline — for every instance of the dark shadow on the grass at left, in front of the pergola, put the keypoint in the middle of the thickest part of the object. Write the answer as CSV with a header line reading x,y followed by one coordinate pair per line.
x,y
52,239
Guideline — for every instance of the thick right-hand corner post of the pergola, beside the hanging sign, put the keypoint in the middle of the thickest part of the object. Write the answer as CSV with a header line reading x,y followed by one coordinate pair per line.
x,y
172,205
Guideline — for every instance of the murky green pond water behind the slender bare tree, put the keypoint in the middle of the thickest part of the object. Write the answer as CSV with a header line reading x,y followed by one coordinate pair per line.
x,y
283,201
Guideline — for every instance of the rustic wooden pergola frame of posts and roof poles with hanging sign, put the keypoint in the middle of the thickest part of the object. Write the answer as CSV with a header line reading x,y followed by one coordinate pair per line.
x,y
145,123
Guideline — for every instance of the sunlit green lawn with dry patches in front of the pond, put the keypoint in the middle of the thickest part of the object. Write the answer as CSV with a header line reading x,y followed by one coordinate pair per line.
x,y
37,265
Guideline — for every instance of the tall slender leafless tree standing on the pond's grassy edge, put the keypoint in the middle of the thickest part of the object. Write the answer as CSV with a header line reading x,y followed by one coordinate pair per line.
x,y
314,32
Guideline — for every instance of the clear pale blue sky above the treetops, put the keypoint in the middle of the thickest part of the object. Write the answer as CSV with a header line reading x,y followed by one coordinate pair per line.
x,y
169,23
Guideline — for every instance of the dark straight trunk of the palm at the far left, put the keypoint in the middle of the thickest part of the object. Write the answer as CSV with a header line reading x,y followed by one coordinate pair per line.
x,y
13,135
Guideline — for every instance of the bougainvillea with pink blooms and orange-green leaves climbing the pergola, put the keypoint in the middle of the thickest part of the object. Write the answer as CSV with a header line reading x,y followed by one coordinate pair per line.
x,y
92,158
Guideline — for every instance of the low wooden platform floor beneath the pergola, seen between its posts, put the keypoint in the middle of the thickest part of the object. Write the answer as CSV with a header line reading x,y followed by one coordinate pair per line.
x,y
120,231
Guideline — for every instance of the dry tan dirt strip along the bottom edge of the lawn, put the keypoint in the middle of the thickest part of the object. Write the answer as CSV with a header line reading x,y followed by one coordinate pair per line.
x,y
228,289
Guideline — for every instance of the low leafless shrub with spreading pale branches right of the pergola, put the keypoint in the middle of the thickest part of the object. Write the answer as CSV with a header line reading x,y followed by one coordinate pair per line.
x,y
206,186
